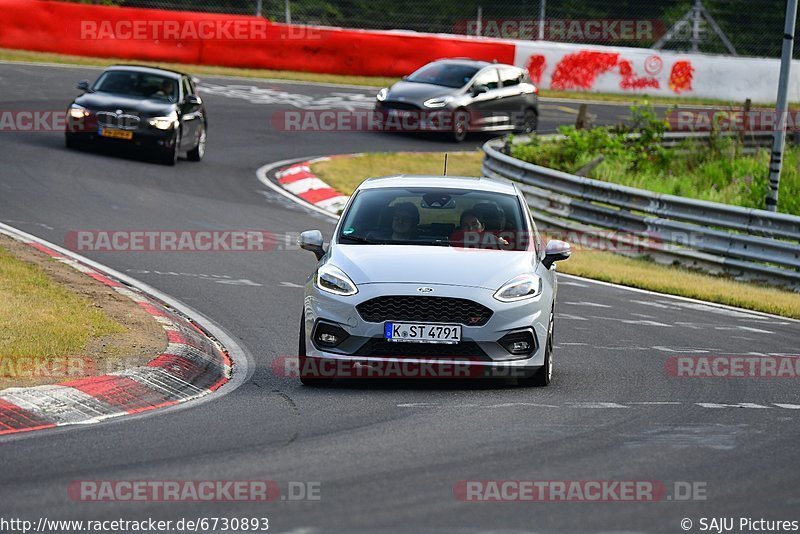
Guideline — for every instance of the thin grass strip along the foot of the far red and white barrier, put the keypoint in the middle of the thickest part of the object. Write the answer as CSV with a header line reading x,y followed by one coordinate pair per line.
x,y
366,81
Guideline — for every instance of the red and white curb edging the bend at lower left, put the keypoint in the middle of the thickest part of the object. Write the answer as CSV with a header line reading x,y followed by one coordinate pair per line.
x,y
193,365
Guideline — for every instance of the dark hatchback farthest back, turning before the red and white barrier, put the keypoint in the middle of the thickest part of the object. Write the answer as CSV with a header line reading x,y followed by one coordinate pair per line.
x,y
462,96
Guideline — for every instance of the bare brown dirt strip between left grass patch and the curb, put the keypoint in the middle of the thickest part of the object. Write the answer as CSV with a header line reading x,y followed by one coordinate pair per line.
x,y
143,338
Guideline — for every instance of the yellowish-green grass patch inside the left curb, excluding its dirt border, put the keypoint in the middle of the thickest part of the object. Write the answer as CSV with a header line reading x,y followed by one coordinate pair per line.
x,y
44,319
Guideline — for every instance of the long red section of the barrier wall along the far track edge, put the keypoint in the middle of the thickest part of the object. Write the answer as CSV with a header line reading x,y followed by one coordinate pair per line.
x,y
226,40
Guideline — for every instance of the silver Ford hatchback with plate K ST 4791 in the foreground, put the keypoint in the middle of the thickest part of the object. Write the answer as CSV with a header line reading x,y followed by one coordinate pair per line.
x,y
431,276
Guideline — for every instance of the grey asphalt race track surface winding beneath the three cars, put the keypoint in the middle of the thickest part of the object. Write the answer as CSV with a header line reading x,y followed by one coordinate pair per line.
x,y
387,454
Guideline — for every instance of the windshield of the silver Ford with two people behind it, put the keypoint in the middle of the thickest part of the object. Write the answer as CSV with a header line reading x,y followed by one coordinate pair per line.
x,y
435,217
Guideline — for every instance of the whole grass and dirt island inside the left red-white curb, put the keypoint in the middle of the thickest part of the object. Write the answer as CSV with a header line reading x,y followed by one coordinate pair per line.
x,y
59,324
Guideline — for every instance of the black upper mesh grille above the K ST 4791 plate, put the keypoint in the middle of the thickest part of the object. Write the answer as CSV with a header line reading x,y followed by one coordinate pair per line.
x,y
424,309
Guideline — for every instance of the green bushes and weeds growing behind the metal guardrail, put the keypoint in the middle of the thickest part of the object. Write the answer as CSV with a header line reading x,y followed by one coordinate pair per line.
x,y
712,169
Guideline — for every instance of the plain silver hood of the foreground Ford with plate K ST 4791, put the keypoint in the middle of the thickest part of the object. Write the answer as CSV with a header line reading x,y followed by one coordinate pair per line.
x,y
410,264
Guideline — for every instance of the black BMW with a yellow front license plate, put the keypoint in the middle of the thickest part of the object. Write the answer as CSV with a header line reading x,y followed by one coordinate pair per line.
x,y
152,109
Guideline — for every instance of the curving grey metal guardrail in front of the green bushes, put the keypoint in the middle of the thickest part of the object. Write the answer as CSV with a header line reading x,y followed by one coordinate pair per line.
x,y
747,243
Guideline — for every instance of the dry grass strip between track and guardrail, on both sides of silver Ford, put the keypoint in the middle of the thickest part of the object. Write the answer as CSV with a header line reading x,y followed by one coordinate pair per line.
x,y
344,174
